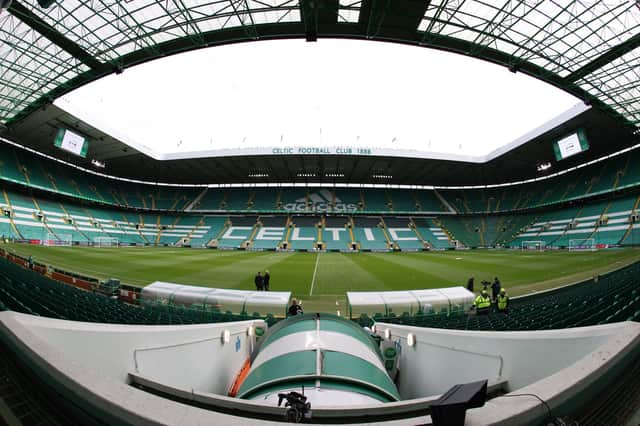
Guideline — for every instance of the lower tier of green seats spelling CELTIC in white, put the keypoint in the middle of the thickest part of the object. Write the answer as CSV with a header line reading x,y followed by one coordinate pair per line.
x,y
607,222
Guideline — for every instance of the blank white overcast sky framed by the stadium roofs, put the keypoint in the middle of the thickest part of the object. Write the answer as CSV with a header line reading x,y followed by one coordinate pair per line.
x,y
329,93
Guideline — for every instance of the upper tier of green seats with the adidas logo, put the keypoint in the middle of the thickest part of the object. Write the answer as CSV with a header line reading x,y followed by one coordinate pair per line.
x,y
26,168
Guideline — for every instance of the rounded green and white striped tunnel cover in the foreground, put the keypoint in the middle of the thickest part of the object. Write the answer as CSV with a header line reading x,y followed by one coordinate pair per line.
x,y
335,360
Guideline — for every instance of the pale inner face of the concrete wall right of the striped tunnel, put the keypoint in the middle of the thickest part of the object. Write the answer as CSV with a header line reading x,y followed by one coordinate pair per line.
x,y
443,358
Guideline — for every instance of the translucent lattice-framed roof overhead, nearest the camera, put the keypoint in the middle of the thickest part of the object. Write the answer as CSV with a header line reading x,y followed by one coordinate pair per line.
x,y
586,47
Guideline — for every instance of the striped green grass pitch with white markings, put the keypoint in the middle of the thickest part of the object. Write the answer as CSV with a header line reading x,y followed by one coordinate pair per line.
x,y
321,280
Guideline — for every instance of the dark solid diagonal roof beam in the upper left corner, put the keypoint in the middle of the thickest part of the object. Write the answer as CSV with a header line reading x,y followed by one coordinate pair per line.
x,y
51,34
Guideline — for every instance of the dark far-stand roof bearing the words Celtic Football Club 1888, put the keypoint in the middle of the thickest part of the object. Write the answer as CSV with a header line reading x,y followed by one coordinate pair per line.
x,y
515,163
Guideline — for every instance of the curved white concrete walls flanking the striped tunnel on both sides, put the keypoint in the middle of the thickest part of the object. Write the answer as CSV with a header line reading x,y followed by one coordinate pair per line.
x,y
88,363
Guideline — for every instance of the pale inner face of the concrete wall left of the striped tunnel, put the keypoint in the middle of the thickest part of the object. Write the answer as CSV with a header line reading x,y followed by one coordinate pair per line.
x,y
184,356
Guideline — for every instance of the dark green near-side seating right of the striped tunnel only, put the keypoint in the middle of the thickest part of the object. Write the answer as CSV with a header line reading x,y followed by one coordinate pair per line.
x,y
611,298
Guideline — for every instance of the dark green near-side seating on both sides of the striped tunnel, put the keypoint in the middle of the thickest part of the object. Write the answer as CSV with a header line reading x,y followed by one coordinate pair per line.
x,y
609,298
